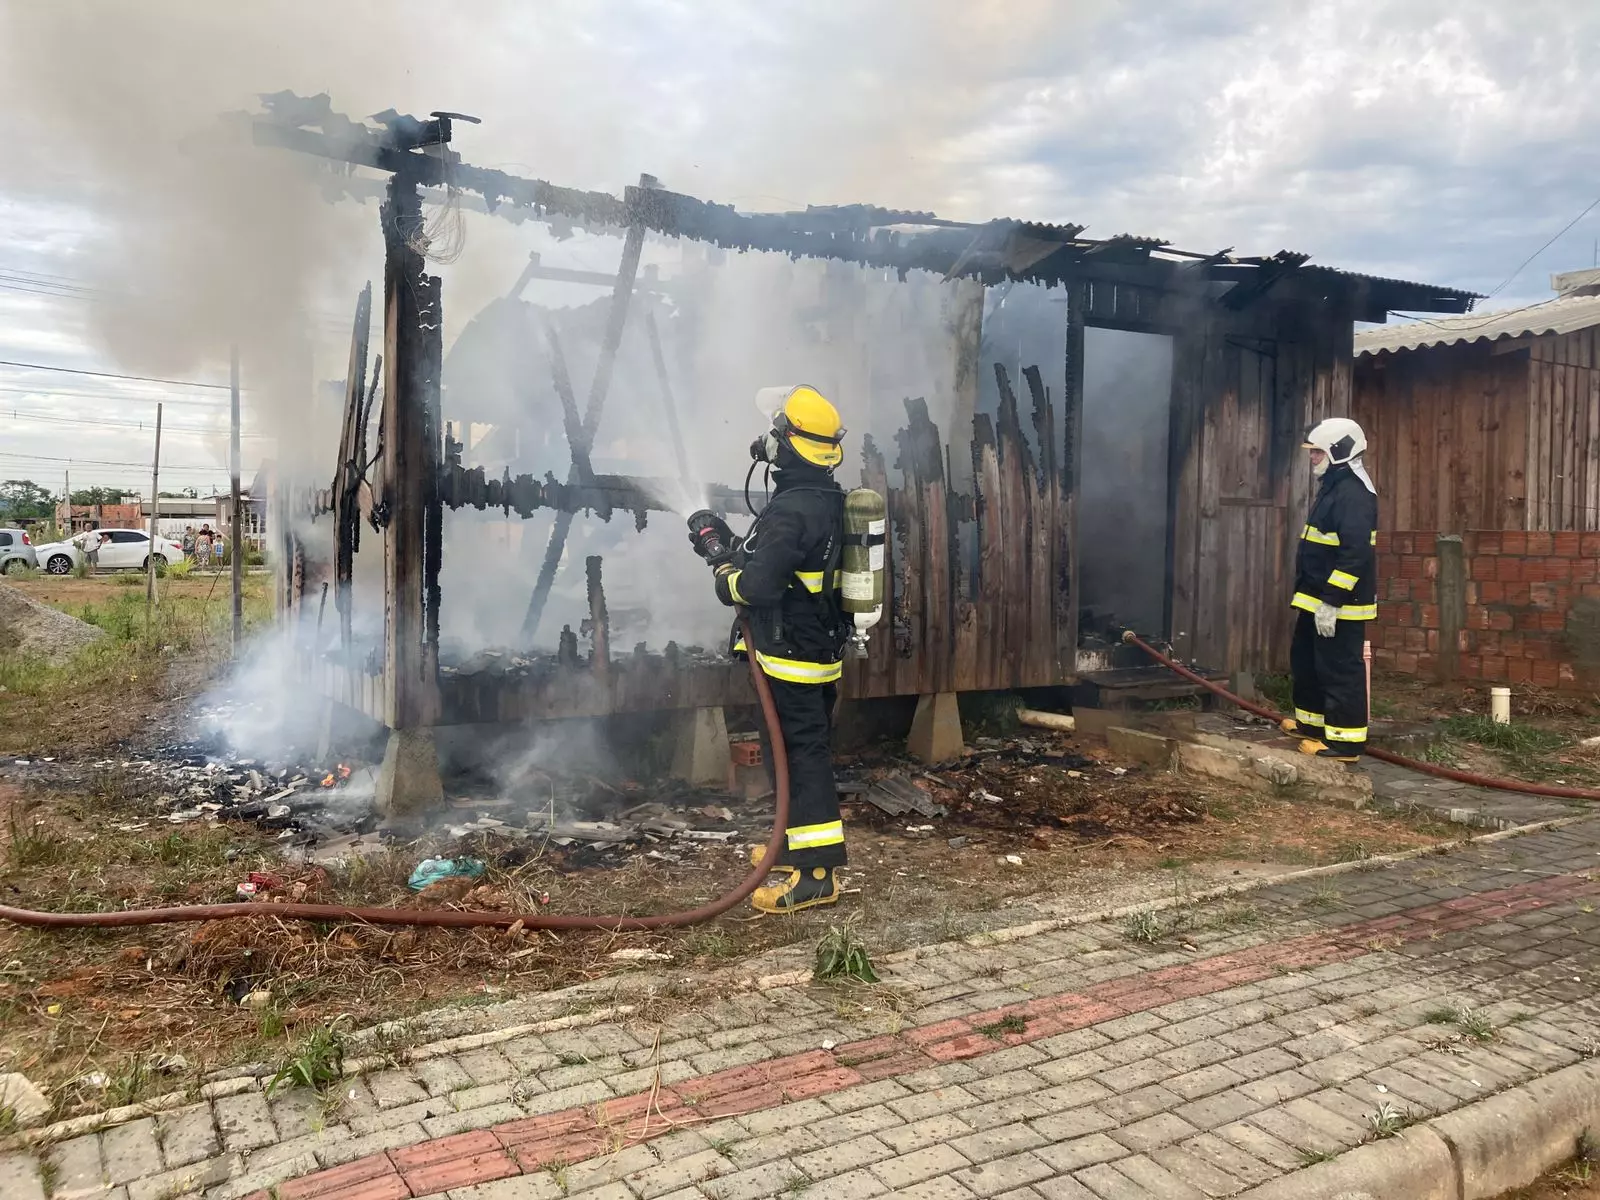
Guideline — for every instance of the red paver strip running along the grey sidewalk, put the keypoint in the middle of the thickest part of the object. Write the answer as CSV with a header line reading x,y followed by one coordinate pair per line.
x,y
574,1135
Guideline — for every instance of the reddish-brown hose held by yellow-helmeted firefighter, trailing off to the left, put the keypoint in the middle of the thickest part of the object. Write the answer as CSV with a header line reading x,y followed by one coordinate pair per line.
x,y
457,919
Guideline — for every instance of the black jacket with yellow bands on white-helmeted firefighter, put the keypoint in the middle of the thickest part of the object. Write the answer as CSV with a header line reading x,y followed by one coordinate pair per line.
x,y
1337,561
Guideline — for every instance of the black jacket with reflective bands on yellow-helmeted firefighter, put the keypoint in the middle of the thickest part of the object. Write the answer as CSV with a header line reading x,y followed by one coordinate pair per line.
x,y
786,578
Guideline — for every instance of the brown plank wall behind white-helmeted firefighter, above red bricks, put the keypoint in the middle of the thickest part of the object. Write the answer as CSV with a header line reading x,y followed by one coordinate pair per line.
x,y
1449,438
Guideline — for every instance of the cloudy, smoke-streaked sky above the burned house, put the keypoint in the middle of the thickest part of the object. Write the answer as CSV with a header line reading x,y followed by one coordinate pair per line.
x,y
1412,138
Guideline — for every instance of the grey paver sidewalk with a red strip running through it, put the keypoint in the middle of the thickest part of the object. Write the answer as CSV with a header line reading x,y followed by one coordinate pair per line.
x,y
1255,1038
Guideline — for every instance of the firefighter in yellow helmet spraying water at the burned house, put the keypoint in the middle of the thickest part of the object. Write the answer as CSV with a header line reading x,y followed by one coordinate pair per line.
x,y
785,577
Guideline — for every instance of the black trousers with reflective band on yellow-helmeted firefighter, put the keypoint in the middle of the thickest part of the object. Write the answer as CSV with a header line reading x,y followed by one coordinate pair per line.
x,y
806,714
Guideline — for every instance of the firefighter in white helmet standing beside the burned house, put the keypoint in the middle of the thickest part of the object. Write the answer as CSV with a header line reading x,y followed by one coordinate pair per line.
x,y
1337,596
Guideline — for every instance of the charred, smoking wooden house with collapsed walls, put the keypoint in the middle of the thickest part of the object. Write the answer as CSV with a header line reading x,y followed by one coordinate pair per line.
x,y
1105,434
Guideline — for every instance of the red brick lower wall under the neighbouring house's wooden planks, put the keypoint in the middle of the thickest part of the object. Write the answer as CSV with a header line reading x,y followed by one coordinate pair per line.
x,y
1519,591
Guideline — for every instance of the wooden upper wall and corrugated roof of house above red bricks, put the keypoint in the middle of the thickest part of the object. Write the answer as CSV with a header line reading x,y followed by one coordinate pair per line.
x,y
1487,422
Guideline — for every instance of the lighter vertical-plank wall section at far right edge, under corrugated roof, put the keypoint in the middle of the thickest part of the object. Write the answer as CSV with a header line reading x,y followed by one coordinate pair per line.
x,y
1564,422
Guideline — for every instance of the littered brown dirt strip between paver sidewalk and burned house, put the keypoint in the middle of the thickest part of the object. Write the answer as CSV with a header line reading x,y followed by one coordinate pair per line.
x,y
74,1004
